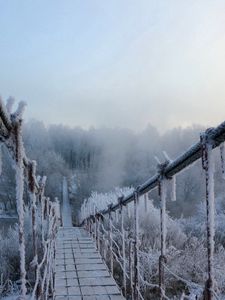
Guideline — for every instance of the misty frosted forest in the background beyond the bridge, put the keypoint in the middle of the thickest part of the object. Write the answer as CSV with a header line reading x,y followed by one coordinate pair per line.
x,y
102,159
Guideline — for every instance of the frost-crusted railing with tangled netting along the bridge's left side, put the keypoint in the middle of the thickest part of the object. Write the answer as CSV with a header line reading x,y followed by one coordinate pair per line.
x,y
40,206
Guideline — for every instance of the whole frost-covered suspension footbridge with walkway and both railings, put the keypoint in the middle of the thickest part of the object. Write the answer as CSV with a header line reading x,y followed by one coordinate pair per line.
x,y
80,262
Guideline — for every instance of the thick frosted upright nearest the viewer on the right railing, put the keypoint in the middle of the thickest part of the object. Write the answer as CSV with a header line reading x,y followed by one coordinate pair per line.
x,y
208,166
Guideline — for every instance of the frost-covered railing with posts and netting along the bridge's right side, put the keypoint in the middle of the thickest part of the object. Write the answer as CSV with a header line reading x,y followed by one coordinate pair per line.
x,y
100,222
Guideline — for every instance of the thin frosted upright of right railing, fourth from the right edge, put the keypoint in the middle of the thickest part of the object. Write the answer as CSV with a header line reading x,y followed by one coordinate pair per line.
x,y
122,211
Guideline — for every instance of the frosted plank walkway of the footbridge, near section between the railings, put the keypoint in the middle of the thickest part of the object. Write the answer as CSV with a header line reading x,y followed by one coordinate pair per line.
x,y
80,273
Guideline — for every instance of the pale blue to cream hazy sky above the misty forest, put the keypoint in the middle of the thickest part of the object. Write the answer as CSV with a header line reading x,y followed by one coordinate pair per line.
x,y
118,63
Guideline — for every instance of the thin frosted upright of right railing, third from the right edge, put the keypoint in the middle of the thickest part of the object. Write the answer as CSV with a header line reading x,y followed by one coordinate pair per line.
x,y
136,244
